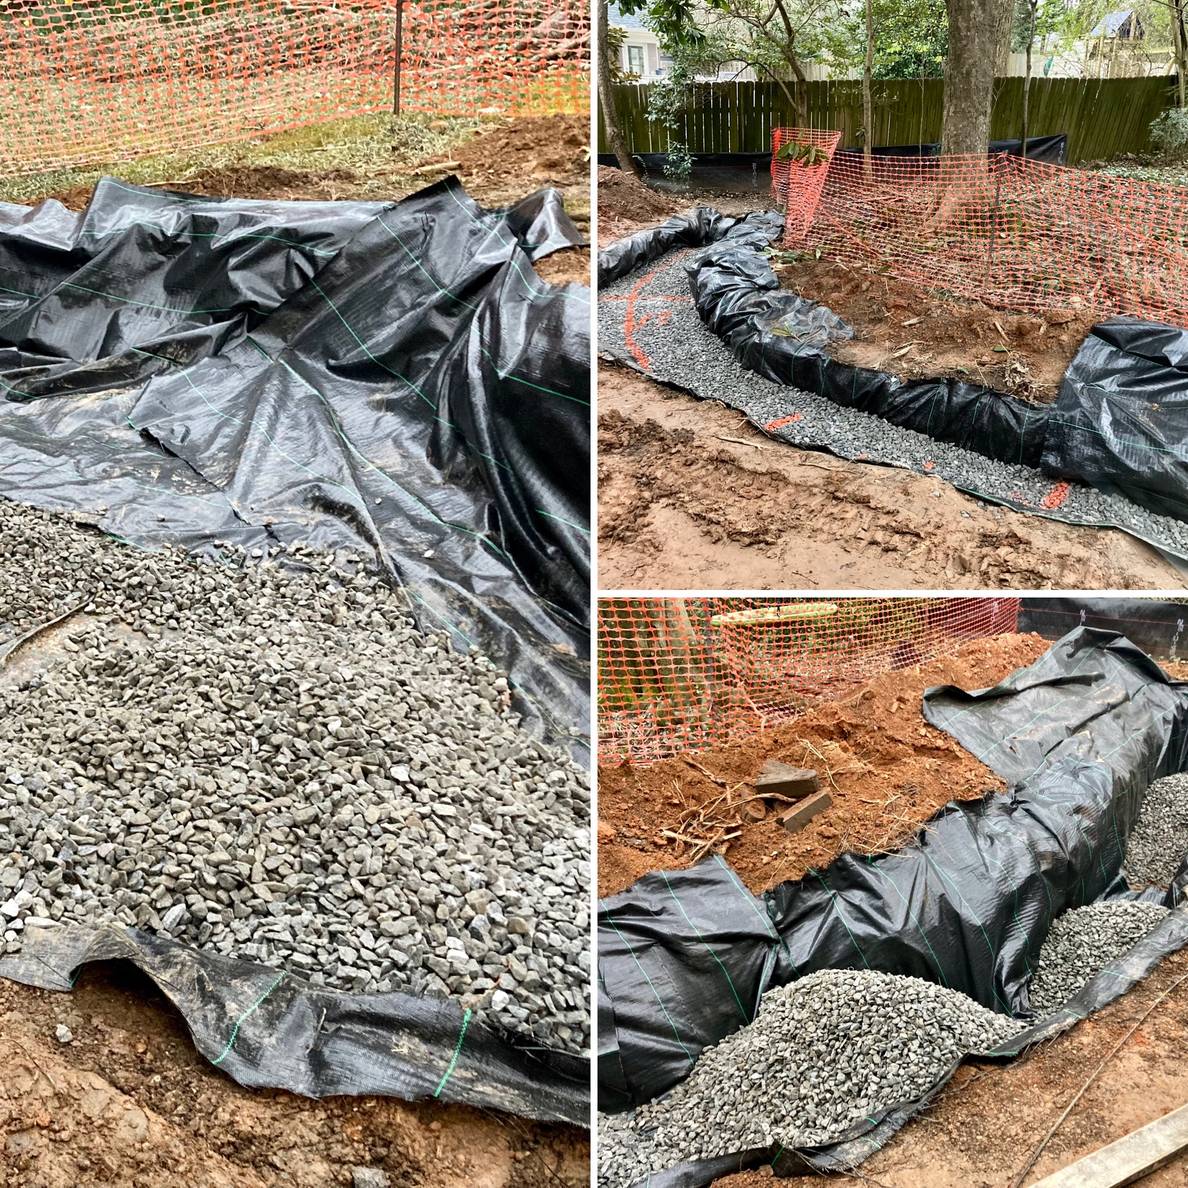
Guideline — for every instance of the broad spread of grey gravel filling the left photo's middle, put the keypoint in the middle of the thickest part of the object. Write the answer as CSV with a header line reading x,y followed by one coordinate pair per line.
x,y
275,763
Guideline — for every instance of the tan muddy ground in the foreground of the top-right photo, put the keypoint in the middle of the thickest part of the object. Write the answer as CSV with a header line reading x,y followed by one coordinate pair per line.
x,y
692,497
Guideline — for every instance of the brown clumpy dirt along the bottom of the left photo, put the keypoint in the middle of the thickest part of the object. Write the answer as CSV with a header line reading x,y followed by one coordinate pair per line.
x,y
130,1102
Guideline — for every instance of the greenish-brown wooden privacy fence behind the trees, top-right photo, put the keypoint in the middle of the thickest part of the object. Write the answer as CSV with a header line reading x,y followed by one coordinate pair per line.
x,y
1103,117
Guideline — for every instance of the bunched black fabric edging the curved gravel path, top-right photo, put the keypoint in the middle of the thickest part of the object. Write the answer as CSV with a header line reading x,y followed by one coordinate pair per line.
x,y
1119,425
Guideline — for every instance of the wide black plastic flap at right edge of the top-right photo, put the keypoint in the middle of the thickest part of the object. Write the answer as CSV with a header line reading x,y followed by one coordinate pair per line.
x,y
1121,421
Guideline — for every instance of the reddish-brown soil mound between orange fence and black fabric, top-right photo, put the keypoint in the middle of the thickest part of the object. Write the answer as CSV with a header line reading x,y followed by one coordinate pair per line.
x,y
909,332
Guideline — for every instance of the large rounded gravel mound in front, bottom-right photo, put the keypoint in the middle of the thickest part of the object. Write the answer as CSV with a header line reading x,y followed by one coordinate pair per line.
x,y
823,1054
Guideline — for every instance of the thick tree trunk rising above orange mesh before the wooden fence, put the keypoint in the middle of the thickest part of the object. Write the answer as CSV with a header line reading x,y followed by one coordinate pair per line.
x,y
975,30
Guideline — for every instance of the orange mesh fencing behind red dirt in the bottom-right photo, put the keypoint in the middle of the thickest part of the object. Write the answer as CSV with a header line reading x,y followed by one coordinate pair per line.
x,y
680,675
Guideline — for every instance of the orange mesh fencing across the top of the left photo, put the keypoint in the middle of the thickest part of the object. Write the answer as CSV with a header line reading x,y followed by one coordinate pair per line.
x,y
110,80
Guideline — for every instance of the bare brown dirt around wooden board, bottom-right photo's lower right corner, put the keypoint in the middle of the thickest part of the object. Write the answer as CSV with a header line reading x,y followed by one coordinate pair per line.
x,y
988,1122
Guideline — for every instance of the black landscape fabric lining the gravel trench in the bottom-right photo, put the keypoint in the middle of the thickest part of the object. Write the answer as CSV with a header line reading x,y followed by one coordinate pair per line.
x,y
1079,736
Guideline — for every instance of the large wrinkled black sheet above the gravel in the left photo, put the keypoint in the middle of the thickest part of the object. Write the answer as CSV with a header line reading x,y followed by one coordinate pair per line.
x,y
393,380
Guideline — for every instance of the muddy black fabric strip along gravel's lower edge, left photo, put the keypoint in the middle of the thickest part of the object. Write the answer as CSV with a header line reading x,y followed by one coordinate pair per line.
x,y
273,1031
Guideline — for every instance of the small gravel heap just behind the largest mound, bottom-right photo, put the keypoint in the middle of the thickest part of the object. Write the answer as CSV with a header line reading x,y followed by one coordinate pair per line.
x,y
1083,943
